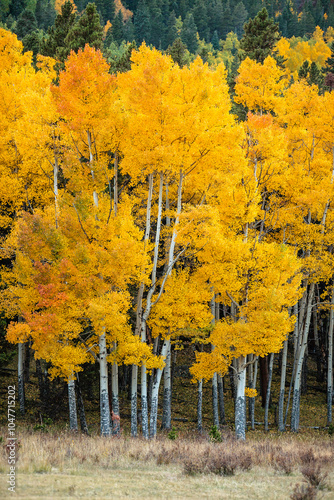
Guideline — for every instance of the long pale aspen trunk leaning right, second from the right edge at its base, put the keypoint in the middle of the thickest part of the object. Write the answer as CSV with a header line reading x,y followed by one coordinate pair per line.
x,y
299,364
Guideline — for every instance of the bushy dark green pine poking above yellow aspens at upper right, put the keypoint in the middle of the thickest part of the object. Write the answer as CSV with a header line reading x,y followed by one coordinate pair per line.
x,y
260,37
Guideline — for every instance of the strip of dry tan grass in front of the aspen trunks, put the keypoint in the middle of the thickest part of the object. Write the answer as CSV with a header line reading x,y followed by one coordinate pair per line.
x,y
51,466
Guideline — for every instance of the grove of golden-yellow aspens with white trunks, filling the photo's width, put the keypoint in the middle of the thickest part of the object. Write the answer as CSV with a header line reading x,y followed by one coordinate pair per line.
x,y
138,211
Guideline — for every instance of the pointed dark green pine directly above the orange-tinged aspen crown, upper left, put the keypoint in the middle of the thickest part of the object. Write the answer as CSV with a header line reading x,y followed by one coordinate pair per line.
x,y
87,30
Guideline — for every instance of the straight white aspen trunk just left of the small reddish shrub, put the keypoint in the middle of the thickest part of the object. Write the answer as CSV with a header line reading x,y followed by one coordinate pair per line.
x,y
104,398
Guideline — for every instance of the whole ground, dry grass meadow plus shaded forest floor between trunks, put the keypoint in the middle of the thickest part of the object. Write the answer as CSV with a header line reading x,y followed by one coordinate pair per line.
x,y
53,463
